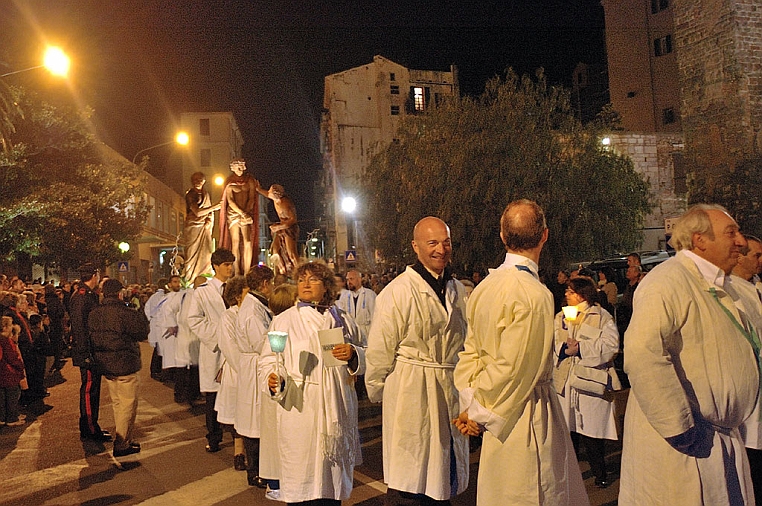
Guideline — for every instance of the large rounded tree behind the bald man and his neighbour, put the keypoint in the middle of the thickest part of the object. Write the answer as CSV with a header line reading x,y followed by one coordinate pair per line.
x,y
467,159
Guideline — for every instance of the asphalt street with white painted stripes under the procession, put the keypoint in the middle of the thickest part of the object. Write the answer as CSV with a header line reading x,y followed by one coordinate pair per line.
x,y
44,462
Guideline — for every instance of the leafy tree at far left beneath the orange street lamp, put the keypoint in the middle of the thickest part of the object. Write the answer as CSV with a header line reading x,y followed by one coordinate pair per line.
x,y
65,199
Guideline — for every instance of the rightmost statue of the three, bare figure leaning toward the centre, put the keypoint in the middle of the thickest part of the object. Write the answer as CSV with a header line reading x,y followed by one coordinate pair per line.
x,y
286,232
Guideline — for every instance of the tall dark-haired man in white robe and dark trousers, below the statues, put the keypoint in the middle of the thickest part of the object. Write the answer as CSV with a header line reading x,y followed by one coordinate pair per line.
x,y
204,318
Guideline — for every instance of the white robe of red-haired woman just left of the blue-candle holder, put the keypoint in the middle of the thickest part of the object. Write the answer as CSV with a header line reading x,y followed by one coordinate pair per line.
x,y
251,333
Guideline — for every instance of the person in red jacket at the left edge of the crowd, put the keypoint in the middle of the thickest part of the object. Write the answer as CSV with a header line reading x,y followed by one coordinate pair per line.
x,y
11,374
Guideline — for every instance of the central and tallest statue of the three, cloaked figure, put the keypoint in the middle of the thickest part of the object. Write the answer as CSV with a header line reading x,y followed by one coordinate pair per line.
x,y
239,216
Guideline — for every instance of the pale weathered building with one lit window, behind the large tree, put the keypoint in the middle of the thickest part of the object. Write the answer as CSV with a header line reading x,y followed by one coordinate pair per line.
x,y
362,110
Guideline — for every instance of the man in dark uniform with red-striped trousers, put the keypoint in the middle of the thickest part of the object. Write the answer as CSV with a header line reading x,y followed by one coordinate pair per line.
x,y
83,301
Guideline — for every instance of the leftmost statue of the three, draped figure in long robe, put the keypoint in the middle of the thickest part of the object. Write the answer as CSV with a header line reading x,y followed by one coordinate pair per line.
x,y
199,221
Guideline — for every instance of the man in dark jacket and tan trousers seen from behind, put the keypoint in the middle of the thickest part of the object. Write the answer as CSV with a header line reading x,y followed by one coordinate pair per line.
x,y
115,330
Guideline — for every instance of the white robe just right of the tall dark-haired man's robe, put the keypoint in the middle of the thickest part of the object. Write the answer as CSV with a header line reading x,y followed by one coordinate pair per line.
x,y
227,395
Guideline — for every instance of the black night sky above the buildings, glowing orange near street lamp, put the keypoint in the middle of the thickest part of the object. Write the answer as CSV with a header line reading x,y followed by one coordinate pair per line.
x,y
140,64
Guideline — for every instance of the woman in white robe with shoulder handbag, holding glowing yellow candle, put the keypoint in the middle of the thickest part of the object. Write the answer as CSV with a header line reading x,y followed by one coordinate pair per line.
x,y
588,341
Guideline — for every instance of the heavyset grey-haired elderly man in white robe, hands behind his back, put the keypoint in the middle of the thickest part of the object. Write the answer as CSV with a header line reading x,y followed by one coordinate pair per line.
x,y
690,357
